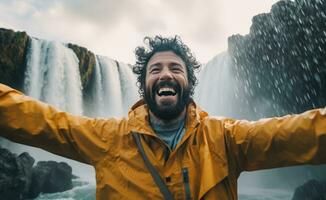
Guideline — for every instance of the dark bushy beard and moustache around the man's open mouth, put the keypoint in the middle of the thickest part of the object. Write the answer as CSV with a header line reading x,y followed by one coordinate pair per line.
x,y
167,111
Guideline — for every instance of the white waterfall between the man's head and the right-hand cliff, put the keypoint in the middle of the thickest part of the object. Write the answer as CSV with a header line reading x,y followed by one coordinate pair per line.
x,y
216,80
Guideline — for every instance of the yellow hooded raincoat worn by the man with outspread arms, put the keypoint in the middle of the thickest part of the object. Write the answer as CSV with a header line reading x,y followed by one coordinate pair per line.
x,y
214,150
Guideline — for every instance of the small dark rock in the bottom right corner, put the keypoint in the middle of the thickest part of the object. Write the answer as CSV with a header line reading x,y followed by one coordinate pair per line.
x,y
311,190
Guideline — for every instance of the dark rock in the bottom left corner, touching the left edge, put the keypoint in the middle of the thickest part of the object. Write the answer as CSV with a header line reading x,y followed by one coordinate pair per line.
x,y
14,174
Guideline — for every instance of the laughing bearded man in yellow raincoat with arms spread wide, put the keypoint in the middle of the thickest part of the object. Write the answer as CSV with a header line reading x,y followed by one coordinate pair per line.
x,y
167,147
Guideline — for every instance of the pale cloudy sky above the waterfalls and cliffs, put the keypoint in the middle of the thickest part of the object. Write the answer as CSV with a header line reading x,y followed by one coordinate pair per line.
x,y
114,28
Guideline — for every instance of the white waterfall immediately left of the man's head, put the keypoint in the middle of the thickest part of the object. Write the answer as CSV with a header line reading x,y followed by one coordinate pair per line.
x,y
113,90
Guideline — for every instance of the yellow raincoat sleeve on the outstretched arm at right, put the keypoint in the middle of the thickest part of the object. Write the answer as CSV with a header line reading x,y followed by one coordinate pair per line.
x,y
277,142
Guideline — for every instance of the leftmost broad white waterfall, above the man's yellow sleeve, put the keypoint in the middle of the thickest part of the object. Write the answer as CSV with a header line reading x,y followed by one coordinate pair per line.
x,y
52,75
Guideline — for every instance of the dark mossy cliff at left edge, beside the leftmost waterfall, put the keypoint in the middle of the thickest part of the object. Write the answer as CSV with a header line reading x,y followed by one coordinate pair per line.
x,y
13,50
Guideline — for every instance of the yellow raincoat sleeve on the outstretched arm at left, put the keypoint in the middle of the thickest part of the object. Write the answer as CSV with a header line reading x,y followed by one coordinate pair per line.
x,y
31,122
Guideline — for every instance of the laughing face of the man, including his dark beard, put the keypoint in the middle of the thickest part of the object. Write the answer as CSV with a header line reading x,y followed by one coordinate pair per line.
x,y
166,88
